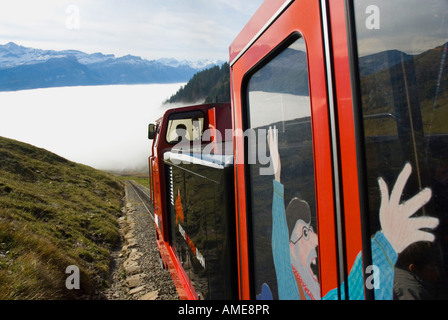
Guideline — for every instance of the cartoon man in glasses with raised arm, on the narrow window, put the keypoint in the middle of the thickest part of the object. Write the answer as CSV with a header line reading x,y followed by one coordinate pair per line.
x,y
296,268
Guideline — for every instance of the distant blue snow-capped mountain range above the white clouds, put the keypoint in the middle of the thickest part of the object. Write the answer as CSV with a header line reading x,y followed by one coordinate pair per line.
x,y
26,68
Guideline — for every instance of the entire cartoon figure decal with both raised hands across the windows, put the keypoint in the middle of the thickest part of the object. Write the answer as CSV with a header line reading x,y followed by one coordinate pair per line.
x,y
294,242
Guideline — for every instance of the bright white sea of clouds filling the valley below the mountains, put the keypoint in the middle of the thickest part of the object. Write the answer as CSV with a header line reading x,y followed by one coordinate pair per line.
x,y
101,126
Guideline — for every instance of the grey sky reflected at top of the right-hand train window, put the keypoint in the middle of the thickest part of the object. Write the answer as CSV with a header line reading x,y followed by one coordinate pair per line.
x,y
411,26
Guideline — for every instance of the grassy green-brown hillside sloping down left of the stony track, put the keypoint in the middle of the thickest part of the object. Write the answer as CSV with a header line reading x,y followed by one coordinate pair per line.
x,y
53,213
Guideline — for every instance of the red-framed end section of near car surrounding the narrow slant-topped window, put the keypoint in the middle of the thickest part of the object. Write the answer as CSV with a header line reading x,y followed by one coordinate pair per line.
x,y
285,186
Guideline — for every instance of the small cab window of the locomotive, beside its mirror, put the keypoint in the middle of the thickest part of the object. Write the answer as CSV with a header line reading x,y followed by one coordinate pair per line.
x,y
185,127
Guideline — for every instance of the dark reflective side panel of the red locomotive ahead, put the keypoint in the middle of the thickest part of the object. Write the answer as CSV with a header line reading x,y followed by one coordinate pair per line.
x,y
199,226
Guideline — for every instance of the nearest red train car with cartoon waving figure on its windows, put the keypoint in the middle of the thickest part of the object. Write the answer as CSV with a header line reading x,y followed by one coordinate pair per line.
x,y
340,173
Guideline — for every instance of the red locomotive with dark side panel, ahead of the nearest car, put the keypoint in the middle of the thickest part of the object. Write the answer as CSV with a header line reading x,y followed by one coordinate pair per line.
x,y
191,183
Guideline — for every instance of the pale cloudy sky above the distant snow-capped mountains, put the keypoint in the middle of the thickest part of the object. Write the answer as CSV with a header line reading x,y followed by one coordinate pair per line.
x,y
152,29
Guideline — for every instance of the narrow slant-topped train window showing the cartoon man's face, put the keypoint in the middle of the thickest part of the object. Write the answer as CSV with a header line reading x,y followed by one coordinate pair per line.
x,y
282,193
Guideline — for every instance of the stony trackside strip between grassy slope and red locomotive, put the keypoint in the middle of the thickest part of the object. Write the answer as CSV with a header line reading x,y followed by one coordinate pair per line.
x,y
136,271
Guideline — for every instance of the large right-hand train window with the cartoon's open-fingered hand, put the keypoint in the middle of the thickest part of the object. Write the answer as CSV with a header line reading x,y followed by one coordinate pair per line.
x,y
402,61
